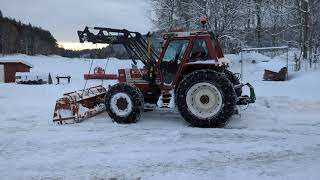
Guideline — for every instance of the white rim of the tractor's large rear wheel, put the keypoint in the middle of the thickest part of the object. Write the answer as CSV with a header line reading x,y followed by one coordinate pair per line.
x,y
204,100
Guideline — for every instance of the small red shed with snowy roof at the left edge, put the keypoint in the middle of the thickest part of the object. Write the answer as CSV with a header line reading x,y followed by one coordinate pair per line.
x,y
8,69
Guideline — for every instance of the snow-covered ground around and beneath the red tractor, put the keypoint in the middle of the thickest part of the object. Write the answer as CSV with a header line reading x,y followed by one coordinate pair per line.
x,y
276,138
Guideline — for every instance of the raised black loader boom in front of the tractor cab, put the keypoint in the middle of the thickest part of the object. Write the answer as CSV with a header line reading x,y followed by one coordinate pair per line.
x,y
134,43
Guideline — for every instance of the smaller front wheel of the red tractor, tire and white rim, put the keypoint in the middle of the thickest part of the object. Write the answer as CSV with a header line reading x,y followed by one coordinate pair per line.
x,y
124,103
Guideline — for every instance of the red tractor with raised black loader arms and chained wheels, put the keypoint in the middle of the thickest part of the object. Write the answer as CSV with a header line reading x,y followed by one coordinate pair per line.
x,y
190,74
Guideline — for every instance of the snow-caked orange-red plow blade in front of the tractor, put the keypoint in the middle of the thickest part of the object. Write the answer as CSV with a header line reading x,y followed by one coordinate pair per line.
x,y
77,106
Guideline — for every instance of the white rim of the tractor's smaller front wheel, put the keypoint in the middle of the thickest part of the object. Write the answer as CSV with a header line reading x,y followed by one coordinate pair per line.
x,y
121,104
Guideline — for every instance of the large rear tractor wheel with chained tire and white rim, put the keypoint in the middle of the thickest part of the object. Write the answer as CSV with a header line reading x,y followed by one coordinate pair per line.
x,y
206,99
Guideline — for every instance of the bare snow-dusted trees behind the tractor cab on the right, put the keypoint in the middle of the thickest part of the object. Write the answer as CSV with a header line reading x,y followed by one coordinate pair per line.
x,y
253,23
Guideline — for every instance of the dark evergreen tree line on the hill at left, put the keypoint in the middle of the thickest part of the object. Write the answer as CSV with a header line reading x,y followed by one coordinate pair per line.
x,y
16,37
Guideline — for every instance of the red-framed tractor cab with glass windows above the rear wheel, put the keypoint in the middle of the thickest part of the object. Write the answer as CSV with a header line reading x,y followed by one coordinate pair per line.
x,y
184,52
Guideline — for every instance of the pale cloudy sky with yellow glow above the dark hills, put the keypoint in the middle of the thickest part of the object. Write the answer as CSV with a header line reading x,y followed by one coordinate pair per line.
x,y
64,17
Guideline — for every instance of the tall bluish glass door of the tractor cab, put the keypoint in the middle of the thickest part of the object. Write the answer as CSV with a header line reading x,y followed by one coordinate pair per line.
x,y
172,59
